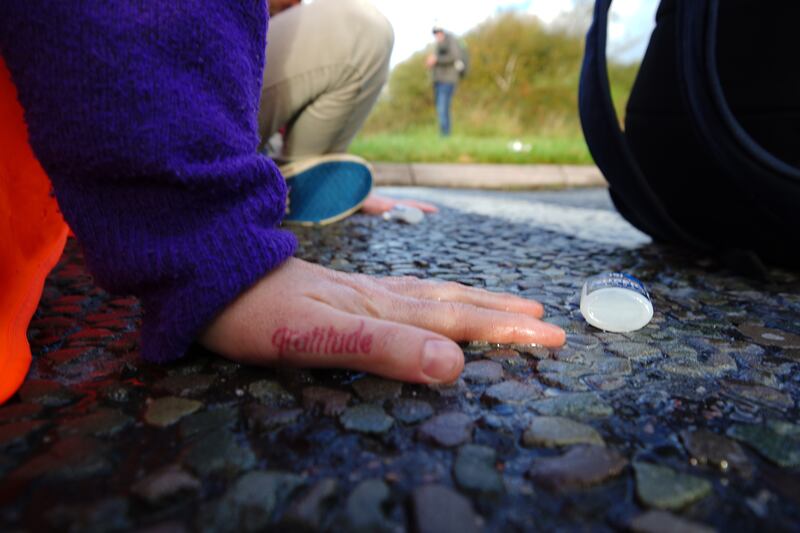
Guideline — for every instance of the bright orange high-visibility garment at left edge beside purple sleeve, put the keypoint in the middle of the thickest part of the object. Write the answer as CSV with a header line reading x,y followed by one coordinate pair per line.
x,y
32,237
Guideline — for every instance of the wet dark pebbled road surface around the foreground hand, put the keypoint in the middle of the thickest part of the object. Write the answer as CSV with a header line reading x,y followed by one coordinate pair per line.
x,y
689,424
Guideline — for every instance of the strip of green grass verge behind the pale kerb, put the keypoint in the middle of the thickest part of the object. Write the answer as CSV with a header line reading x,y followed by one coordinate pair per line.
x,y
428,147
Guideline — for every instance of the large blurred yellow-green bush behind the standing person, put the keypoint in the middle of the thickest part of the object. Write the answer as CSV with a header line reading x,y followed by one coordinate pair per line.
x,y
523,80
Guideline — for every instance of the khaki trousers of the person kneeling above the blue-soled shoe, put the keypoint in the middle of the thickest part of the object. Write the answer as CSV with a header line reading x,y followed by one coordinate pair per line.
x,y
326,64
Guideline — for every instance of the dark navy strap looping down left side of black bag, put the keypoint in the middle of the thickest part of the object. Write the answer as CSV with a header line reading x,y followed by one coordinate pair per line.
x,y
609,147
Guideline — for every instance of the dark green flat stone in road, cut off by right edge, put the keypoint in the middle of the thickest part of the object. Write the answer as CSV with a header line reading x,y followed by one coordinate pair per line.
x,y
777,441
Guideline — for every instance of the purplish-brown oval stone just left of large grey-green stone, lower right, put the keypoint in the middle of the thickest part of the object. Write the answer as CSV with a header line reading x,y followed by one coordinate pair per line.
x,y
580,467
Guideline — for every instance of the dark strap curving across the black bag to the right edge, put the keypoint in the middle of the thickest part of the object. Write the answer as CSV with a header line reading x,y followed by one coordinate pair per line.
x,y
774,182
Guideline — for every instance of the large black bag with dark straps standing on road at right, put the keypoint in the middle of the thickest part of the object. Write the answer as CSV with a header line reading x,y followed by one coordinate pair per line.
x,y
711,149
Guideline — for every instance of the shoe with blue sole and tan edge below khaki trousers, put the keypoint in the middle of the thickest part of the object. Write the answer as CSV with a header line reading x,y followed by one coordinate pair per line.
x,y
326,189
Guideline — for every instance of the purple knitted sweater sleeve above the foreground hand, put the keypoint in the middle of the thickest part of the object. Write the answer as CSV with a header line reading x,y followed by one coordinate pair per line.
x,y
144,115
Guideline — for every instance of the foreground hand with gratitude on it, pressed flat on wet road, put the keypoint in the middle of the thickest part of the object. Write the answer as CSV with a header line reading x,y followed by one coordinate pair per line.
x,y
306,315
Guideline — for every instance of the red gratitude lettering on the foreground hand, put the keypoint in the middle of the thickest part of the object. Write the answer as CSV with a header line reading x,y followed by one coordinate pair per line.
x,y
323,341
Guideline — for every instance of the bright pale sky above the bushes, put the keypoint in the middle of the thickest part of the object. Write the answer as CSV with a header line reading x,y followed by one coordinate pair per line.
x,y
632,20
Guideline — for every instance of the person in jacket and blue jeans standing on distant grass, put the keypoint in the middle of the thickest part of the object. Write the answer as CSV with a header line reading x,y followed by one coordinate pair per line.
x,y
443,65
